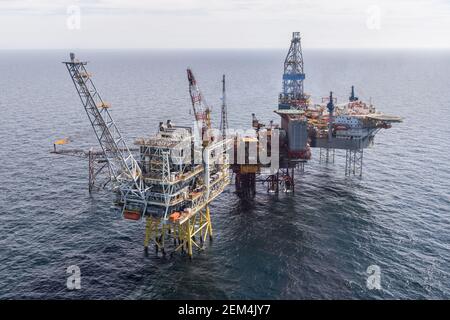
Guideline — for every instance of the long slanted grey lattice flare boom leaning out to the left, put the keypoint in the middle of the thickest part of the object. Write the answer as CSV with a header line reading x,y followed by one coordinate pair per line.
x,y
124,169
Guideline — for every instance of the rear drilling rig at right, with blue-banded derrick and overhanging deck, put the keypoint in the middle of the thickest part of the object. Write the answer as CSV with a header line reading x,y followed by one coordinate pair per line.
x,y
328,126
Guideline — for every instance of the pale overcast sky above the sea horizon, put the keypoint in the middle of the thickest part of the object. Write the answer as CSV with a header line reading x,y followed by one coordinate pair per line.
x,y
107,24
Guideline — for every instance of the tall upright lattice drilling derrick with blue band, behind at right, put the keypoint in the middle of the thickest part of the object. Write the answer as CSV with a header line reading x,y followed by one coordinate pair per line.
x,y
293,96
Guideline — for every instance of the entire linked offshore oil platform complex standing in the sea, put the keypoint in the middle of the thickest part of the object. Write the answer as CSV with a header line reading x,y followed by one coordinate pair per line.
x,y
169,179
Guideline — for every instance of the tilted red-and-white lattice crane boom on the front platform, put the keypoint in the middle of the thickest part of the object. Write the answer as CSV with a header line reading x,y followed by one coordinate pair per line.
x,y
202,112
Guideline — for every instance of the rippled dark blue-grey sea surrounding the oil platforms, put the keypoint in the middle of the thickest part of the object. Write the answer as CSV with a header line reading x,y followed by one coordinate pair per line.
x,y
315,243
